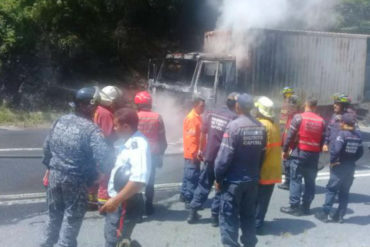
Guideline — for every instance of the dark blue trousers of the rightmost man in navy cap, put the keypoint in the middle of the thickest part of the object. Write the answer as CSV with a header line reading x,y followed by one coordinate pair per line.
x,y
340,182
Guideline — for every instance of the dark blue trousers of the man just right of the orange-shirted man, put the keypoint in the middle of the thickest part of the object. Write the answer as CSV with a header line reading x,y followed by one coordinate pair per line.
x,y
206,181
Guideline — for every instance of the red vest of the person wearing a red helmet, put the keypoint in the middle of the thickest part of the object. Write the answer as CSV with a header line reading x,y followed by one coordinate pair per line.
x,y
149,126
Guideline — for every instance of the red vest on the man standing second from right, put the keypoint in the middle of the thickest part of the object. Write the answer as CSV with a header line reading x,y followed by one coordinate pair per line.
x,y
311,132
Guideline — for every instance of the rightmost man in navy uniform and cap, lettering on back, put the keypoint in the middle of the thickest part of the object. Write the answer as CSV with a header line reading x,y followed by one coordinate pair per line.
x,y
345,151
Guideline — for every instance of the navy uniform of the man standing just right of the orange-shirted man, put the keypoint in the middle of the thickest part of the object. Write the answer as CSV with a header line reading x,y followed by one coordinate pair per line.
x,y
214,126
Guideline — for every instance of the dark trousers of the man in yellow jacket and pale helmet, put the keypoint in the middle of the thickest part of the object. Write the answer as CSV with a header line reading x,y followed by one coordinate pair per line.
x,y
263,201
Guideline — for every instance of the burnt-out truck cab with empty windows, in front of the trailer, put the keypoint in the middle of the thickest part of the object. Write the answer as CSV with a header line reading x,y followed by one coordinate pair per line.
x,y
190,75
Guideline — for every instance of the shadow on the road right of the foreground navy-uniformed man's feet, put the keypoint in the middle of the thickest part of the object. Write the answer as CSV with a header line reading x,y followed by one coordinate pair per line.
x,y
286,227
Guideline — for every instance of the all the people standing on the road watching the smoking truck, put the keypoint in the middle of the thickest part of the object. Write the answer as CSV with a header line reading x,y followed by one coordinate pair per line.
x,y
107,155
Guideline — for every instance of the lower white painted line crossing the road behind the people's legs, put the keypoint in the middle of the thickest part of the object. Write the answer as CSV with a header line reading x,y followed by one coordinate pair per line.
x,y
33,198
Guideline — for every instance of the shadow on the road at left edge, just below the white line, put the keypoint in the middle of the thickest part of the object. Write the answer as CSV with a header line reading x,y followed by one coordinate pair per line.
x,y
16,213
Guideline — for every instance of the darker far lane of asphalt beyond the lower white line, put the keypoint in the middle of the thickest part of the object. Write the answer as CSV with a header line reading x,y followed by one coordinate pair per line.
x,y
24,175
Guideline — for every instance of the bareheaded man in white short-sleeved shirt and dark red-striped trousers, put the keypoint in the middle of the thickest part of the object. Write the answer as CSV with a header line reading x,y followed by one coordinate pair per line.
x,y
125,207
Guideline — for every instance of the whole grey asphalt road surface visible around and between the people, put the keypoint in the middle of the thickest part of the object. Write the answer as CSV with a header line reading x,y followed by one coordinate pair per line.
x,y
24,221
